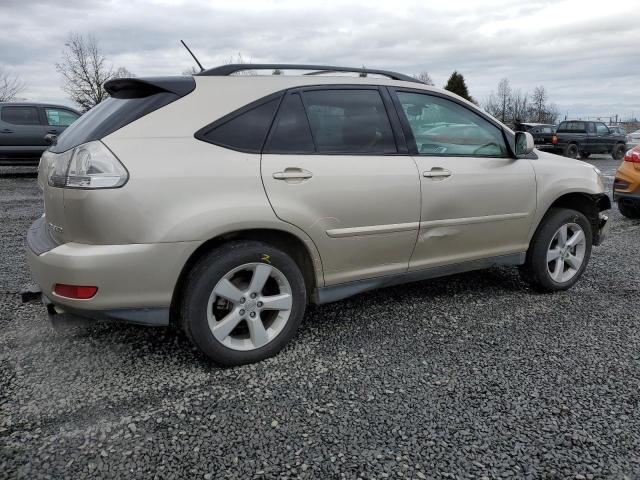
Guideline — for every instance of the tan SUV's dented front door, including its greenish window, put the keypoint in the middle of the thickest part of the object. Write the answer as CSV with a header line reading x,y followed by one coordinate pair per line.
x,y
477,201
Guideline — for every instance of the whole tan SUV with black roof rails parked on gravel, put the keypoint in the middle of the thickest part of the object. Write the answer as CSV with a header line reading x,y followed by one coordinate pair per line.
x,y
225,203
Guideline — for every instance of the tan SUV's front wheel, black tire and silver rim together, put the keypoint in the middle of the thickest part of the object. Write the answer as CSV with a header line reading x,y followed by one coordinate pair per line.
x,y
549,275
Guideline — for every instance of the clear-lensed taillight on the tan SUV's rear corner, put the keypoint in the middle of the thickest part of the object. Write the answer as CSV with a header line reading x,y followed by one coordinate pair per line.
x,y
90,165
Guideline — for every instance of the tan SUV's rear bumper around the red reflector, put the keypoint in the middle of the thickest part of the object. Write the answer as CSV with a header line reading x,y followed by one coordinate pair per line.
x,y
134,280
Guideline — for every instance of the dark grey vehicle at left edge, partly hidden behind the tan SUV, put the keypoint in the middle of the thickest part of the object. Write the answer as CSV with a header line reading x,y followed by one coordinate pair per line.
x,y
24,126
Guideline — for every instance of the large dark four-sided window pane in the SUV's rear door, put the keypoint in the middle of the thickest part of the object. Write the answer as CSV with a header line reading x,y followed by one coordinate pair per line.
x,y
349,121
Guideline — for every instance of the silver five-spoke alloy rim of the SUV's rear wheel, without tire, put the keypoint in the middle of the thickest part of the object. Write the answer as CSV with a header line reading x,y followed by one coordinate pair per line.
x,y
249,306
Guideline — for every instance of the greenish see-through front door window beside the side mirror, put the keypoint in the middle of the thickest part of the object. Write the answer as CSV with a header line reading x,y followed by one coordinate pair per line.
x,y
443,127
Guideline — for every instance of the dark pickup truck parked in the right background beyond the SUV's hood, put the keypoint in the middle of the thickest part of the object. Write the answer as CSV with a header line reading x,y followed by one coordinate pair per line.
x,y
583,137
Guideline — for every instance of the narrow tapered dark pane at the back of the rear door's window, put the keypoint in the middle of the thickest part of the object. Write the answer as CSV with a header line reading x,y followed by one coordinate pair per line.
x,y
291,133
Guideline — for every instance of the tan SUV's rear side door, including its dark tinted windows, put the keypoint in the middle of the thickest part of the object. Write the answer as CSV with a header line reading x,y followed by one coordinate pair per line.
x,y
334,166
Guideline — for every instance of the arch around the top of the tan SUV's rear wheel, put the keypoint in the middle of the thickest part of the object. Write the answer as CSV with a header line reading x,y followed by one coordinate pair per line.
x,y
284,240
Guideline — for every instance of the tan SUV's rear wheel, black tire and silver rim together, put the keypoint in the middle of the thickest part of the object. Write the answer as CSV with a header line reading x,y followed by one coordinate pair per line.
x,y
230,270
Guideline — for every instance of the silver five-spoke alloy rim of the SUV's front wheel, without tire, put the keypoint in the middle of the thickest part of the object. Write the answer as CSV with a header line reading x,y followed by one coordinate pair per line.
x,y
566,252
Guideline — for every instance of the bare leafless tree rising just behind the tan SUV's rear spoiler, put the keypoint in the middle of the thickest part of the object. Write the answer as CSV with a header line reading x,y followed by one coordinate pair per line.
x,y
85,69
